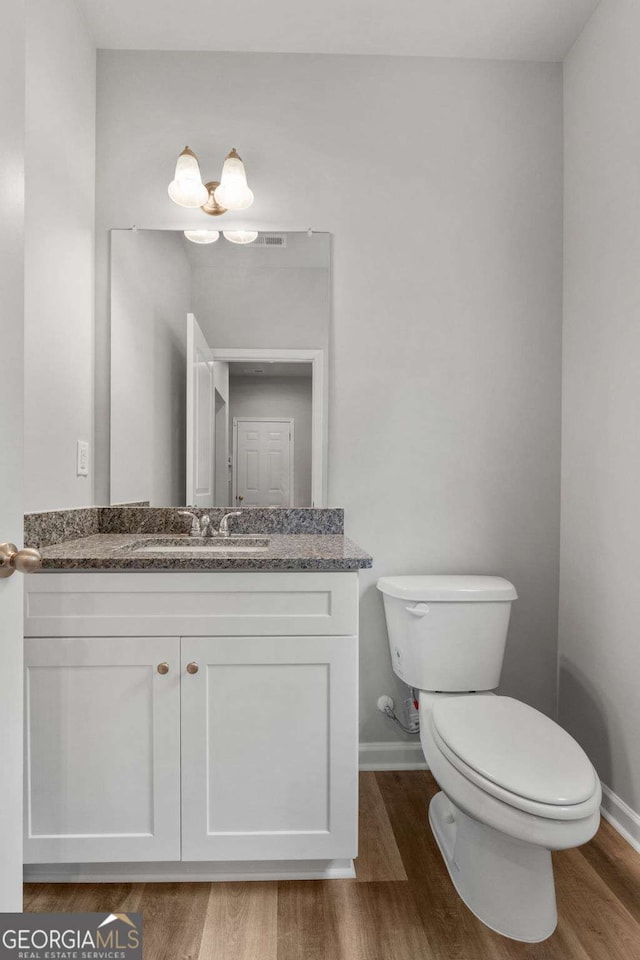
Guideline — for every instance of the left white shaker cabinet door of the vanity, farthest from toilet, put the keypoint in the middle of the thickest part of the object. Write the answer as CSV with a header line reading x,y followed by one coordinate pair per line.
x,y
102,749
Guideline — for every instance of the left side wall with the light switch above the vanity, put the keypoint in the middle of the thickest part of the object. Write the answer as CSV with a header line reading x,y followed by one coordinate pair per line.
x,y
59,253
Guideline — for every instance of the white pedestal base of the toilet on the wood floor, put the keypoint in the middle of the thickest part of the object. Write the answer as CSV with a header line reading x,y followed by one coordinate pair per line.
x,y
508,884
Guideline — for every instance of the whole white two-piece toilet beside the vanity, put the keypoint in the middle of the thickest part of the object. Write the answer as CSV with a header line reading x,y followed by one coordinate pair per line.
x,y
514,785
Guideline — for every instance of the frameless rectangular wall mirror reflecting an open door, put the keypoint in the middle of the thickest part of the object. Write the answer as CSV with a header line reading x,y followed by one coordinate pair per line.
x,y
219,378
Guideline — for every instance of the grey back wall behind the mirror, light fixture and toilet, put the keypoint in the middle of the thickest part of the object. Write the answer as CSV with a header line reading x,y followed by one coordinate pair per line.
x,y
441,181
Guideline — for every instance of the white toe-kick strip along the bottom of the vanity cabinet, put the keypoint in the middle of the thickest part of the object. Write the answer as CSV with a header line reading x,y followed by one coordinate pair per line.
x,y
188,872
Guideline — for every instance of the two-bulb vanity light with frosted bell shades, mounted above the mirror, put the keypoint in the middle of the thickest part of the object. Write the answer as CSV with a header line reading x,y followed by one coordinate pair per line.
x,y
231,192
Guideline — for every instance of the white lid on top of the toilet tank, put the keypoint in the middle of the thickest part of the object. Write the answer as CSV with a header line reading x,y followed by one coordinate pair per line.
x,y
454,589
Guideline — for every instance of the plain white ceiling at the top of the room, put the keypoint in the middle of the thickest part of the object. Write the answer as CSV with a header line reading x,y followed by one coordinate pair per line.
x,y
485,29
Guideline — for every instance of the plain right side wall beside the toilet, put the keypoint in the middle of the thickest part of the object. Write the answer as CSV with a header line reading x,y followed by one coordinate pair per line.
x,y
600,571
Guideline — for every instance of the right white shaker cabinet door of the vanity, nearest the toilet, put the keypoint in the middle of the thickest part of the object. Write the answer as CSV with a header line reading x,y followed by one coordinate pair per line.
x,y
269,748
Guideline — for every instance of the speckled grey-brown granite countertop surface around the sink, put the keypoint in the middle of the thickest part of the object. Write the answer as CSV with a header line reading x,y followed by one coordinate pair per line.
x,y
115,551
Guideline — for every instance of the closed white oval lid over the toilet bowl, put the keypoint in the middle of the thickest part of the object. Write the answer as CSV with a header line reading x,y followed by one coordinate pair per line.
x,y
516,747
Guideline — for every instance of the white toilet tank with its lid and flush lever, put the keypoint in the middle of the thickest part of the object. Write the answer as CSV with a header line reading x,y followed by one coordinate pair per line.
x,y
447,633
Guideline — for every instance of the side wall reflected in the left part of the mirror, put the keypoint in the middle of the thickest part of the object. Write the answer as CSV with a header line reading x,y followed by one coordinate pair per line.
x,y
150,299
